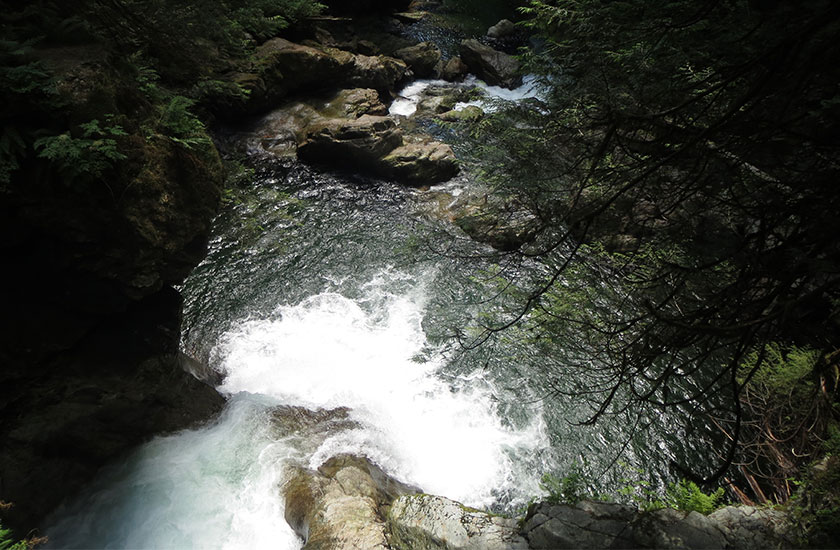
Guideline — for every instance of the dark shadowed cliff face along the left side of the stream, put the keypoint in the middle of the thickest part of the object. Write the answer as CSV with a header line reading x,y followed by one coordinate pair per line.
x,y
91,324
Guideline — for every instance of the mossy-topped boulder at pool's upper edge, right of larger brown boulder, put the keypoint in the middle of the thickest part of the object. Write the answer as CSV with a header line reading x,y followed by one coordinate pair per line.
x,y
422,163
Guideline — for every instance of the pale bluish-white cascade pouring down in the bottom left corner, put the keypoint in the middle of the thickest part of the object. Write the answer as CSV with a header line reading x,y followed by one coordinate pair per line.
x,y
215,487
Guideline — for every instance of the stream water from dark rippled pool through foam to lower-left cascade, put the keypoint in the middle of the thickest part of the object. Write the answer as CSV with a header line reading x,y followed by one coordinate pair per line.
x,y
328,295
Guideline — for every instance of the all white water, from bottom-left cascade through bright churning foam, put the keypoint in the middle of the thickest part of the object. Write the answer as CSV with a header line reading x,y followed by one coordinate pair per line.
x,y
219,486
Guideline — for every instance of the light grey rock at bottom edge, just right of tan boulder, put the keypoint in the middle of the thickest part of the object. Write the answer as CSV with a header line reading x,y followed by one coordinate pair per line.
x,y
426,522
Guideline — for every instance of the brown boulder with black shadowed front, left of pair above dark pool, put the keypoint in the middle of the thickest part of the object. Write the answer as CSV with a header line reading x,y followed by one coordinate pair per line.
x,y
359,142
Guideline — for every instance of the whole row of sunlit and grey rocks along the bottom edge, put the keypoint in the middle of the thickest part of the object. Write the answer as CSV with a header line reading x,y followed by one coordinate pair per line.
x,y
350,503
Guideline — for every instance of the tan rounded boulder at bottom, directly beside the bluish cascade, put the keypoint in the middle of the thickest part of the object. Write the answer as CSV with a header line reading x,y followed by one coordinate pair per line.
x,y
341,506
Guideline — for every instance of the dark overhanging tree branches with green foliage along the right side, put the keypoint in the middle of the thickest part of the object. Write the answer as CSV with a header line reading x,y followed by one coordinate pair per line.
x,y
685,142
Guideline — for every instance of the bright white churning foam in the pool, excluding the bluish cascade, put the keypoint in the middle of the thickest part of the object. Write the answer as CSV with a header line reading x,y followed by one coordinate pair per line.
x,y
331,351
